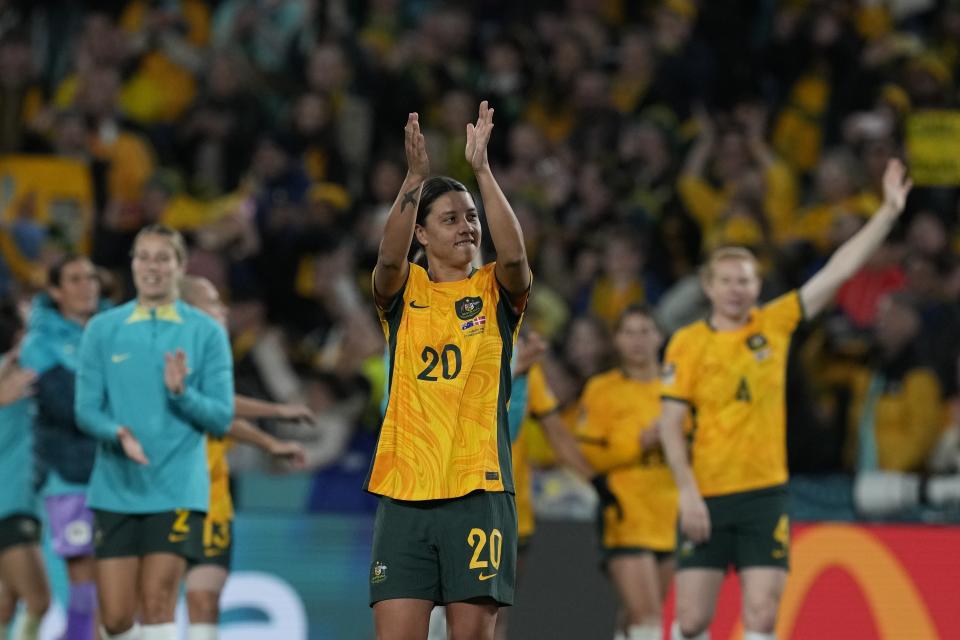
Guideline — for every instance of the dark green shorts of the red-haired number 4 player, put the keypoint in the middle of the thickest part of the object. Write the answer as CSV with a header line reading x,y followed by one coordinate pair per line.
x,y
747,529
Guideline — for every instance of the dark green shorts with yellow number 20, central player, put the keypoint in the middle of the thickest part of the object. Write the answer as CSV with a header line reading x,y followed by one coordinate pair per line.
x,y
445,550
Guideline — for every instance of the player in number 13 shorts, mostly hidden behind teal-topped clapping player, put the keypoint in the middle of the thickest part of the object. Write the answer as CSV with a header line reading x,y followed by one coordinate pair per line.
x,y
208,575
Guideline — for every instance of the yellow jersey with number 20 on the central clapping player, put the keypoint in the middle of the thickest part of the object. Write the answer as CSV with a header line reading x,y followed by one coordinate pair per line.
x,y
445,432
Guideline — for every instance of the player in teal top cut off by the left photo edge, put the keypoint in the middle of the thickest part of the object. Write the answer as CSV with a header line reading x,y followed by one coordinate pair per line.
x,y
21,567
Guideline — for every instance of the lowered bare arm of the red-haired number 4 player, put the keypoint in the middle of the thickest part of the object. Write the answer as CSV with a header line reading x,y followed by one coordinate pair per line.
x,y
694,517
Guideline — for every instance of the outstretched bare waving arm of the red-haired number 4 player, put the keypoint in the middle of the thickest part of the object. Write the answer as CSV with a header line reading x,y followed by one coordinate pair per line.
x,y
852,254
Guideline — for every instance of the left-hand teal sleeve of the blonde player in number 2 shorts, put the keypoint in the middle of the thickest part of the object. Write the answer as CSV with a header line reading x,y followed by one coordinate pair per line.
x,y
91,394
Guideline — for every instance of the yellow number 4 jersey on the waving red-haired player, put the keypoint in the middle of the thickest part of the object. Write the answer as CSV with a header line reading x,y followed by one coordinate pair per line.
x,y
734,383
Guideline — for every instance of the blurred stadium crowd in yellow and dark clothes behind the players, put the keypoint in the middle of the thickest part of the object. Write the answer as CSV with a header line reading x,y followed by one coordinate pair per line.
x,y
633,138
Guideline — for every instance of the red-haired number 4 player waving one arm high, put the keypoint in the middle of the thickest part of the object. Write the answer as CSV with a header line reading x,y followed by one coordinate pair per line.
x,y
730,370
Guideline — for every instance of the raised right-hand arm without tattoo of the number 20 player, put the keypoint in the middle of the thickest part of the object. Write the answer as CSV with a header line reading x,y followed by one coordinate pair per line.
x,y
513,271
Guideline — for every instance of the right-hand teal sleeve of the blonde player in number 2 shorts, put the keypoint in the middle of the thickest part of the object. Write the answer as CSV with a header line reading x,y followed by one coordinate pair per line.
x,y
209,403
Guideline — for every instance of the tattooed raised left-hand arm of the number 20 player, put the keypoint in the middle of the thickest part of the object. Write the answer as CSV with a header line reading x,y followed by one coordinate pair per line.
x,y
390,273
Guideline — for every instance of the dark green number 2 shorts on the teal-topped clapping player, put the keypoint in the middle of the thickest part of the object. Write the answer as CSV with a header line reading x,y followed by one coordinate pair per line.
x,y
123,535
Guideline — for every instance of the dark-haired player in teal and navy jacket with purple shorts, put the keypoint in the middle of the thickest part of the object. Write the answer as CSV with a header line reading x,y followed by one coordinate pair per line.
x,y
64,454
